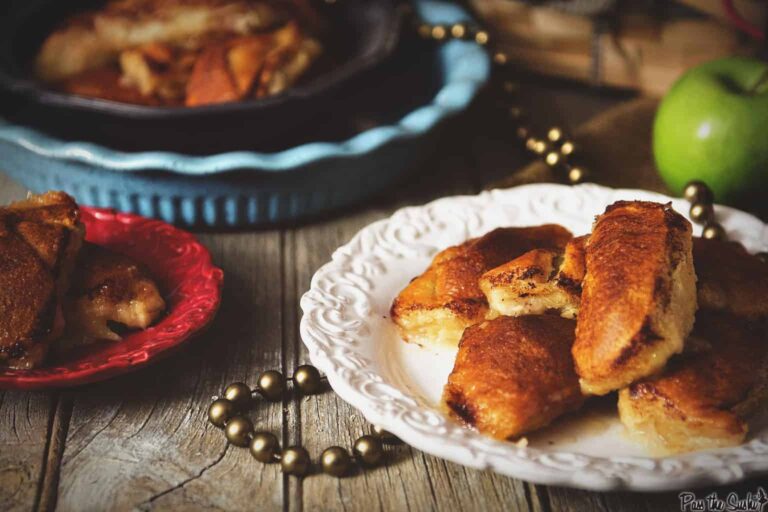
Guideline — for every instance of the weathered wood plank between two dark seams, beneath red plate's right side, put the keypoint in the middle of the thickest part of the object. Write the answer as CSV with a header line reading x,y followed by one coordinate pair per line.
x,y
142,440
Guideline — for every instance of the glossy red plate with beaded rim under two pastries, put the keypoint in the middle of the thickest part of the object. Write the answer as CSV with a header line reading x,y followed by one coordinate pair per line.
x,y
191,285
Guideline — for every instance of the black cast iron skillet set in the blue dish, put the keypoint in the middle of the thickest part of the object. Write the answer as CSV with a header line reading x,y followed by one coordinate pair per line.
x,y
362,33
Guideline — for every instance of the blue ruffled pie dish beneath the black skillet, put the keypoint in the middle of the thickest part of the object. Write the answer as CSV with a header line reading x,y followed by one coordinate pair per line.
x,y
247,188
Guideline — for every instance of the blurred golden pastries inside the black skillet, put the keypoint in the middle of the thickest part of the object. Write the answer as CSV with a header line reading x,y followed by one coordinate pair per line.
x,y
173,52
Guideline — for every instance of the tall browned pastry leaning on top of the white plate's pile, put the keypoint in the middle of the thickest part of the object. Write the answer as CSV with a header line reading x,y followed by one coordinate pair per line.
x,y
638,299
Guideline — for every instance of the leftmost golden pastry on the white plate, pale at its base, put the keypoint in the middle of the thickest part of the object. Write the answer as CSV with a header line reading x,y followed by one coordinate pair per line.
x,y
437,305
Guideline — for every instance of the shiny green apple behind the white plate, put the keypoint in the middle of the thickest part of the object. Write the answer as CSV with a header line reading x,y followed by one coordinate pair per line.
x,y
713,126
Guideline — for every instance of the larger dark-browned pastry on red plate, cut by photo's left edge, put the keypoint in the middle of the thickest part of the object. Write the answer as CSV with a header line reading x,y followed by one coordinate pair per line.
x,y
39,241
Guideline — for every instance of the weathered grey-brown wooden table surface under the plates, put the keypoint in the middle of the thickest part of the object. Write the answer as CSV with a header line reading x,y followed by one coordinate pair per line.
x,y
142,441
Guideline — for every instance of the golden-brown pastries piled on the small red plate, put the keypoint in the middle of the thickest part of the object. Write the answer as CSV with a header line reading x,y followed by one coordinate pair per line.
x,y
56,289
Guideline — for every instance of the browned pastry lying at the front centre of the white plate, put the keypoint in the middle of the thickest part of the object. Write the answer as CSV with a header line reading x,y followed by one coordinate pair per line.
x,y
514,374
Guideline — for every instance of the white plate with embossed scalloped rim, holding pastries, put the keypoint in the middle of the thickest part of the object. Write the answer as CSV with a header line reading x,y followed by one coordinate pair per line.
x,y
347,330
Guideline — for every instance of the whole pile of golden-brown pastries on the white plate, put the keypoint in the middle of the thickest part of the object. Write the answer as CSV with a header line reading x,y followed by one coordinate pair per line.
x,y
674,325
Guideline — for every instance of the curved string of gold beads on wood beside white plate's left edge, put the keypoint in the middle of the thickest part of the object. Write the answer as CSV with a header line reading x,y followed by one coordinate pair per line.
x,y
226,412
